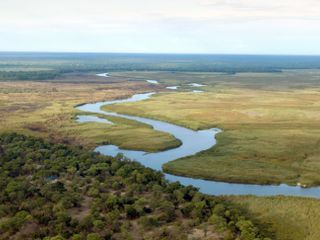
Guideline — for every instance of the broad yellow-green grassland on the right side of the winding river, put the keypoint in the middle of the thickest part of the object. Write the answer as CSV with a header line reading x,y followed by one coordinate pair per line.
x,y
270,134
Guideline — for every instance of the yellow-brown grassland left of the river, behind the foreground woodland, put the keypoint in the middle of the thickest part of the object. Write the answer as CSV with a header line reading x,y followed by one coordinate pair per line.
x,y
47,109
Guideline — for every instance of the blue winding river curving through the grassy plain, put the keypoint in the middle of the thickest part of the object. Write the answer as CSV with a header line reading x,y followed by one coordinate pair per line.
x,y
192,143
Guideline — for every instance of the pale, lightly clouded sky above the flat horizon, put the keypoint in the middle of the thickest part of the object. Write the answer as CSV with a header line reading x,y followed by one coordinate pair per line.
x,y
162,26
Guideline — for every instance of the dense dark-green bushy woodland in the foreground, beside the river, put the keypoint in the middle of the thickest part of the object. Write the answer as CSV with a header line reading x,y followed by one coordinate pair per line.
x,y
51,191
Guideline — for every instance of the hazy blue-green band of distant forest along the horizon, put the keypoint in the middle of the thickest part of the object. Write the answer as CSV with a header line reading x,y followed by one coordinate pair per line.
x,y
89,62
